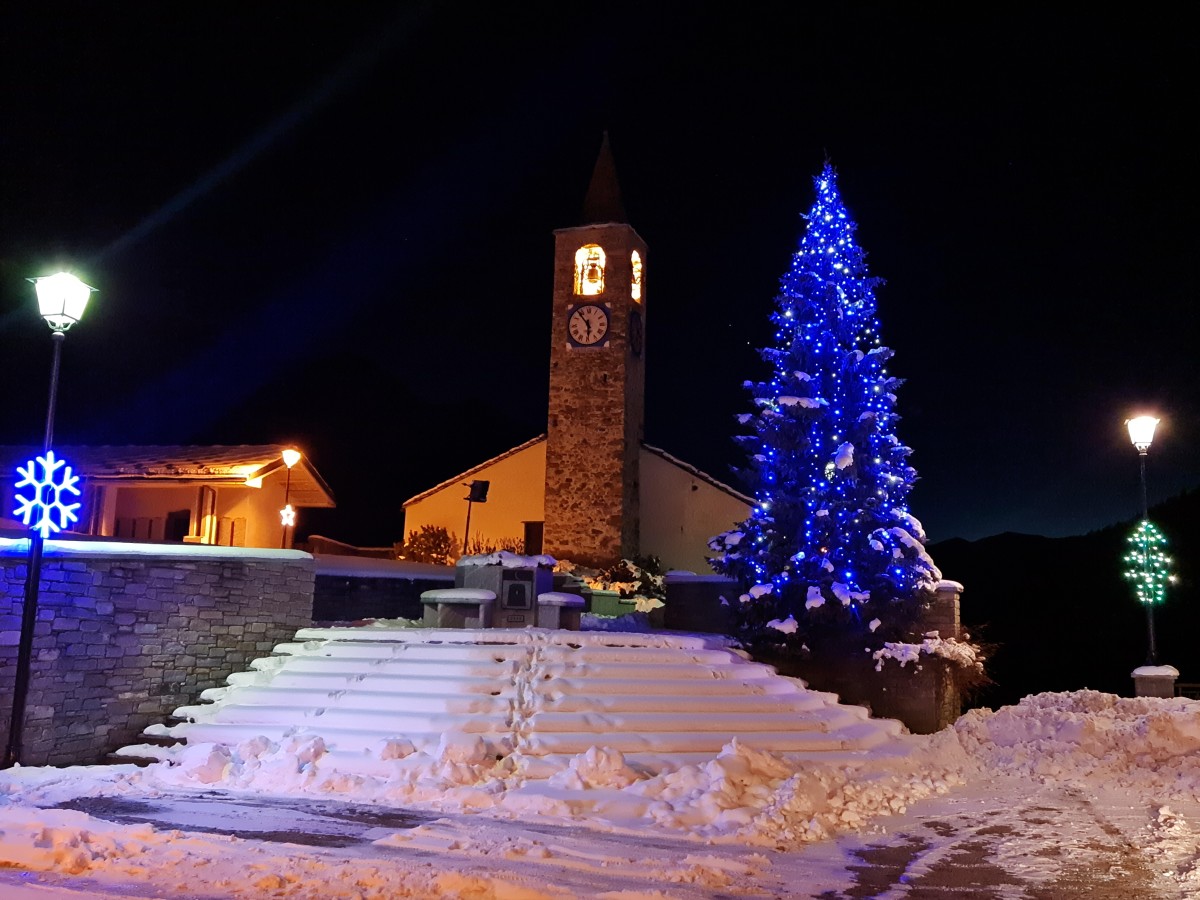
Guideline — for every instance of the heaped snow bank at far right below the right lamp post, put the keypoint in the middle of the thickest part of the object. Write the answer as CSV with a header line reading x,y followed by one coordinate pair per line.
x,y
1144,743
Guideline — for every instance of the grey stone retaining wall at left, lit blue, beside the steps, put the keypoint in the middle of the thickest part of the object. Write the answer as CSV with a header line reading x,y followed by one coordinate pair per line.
x,y
123,639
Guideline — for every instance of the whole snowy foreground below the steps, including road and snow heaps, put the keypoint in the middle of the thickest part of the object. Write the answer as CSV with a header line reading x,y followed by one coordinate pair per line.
x,y
1069,795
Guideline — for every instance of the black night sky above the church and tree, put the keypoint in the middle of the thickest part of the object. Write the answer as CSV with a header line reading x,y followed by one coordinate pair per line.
x,y
333,225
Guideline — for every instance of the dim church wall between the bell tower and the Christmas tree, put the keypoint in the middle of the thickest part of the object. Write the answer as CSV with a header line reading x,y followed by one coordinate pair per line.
x,y
681,513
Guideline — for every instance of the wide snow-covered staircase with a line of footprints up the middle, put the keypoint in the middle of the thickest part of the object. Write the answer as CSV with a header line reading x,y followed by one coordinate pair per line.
x,y
657,698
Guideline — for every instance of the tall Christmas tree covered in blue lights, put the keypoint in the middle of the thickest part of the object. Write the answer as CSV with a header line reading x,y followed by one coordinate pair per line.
x,y
830,543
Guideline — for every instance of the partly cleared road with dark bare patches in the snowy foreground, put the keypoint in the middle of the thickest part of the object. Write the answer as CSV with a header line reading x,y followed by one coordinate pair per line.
x,y
1007,839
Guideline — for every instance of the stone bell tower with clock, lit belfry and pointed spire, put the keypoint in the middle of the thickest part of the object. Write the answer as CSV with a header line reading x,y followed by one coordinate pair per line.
x,y
597,409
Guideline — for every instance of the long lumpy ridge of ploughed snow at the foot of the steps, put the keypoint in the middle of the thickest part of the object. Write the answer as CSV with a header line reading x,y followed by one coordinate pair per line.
x,y
741,795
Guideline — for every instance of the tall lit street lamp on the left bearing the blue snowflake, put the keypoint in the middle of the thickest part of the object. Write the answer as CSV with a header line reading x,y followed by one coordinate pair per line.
x,y
62,301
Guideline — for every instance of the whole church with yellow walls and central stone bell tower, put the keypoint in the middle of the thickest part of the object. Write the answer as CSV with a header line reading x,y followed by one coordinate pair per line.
x,y
591,490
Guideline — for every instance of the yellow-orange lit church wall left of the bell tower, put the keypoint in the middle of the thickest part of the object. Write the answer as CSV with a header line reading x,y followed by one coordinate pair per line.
x,y
517,495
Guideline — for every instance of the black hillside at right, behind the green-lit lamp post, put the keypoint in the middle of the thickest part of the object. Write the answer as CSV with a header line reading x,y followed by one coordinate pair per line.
x,y
1061,613
